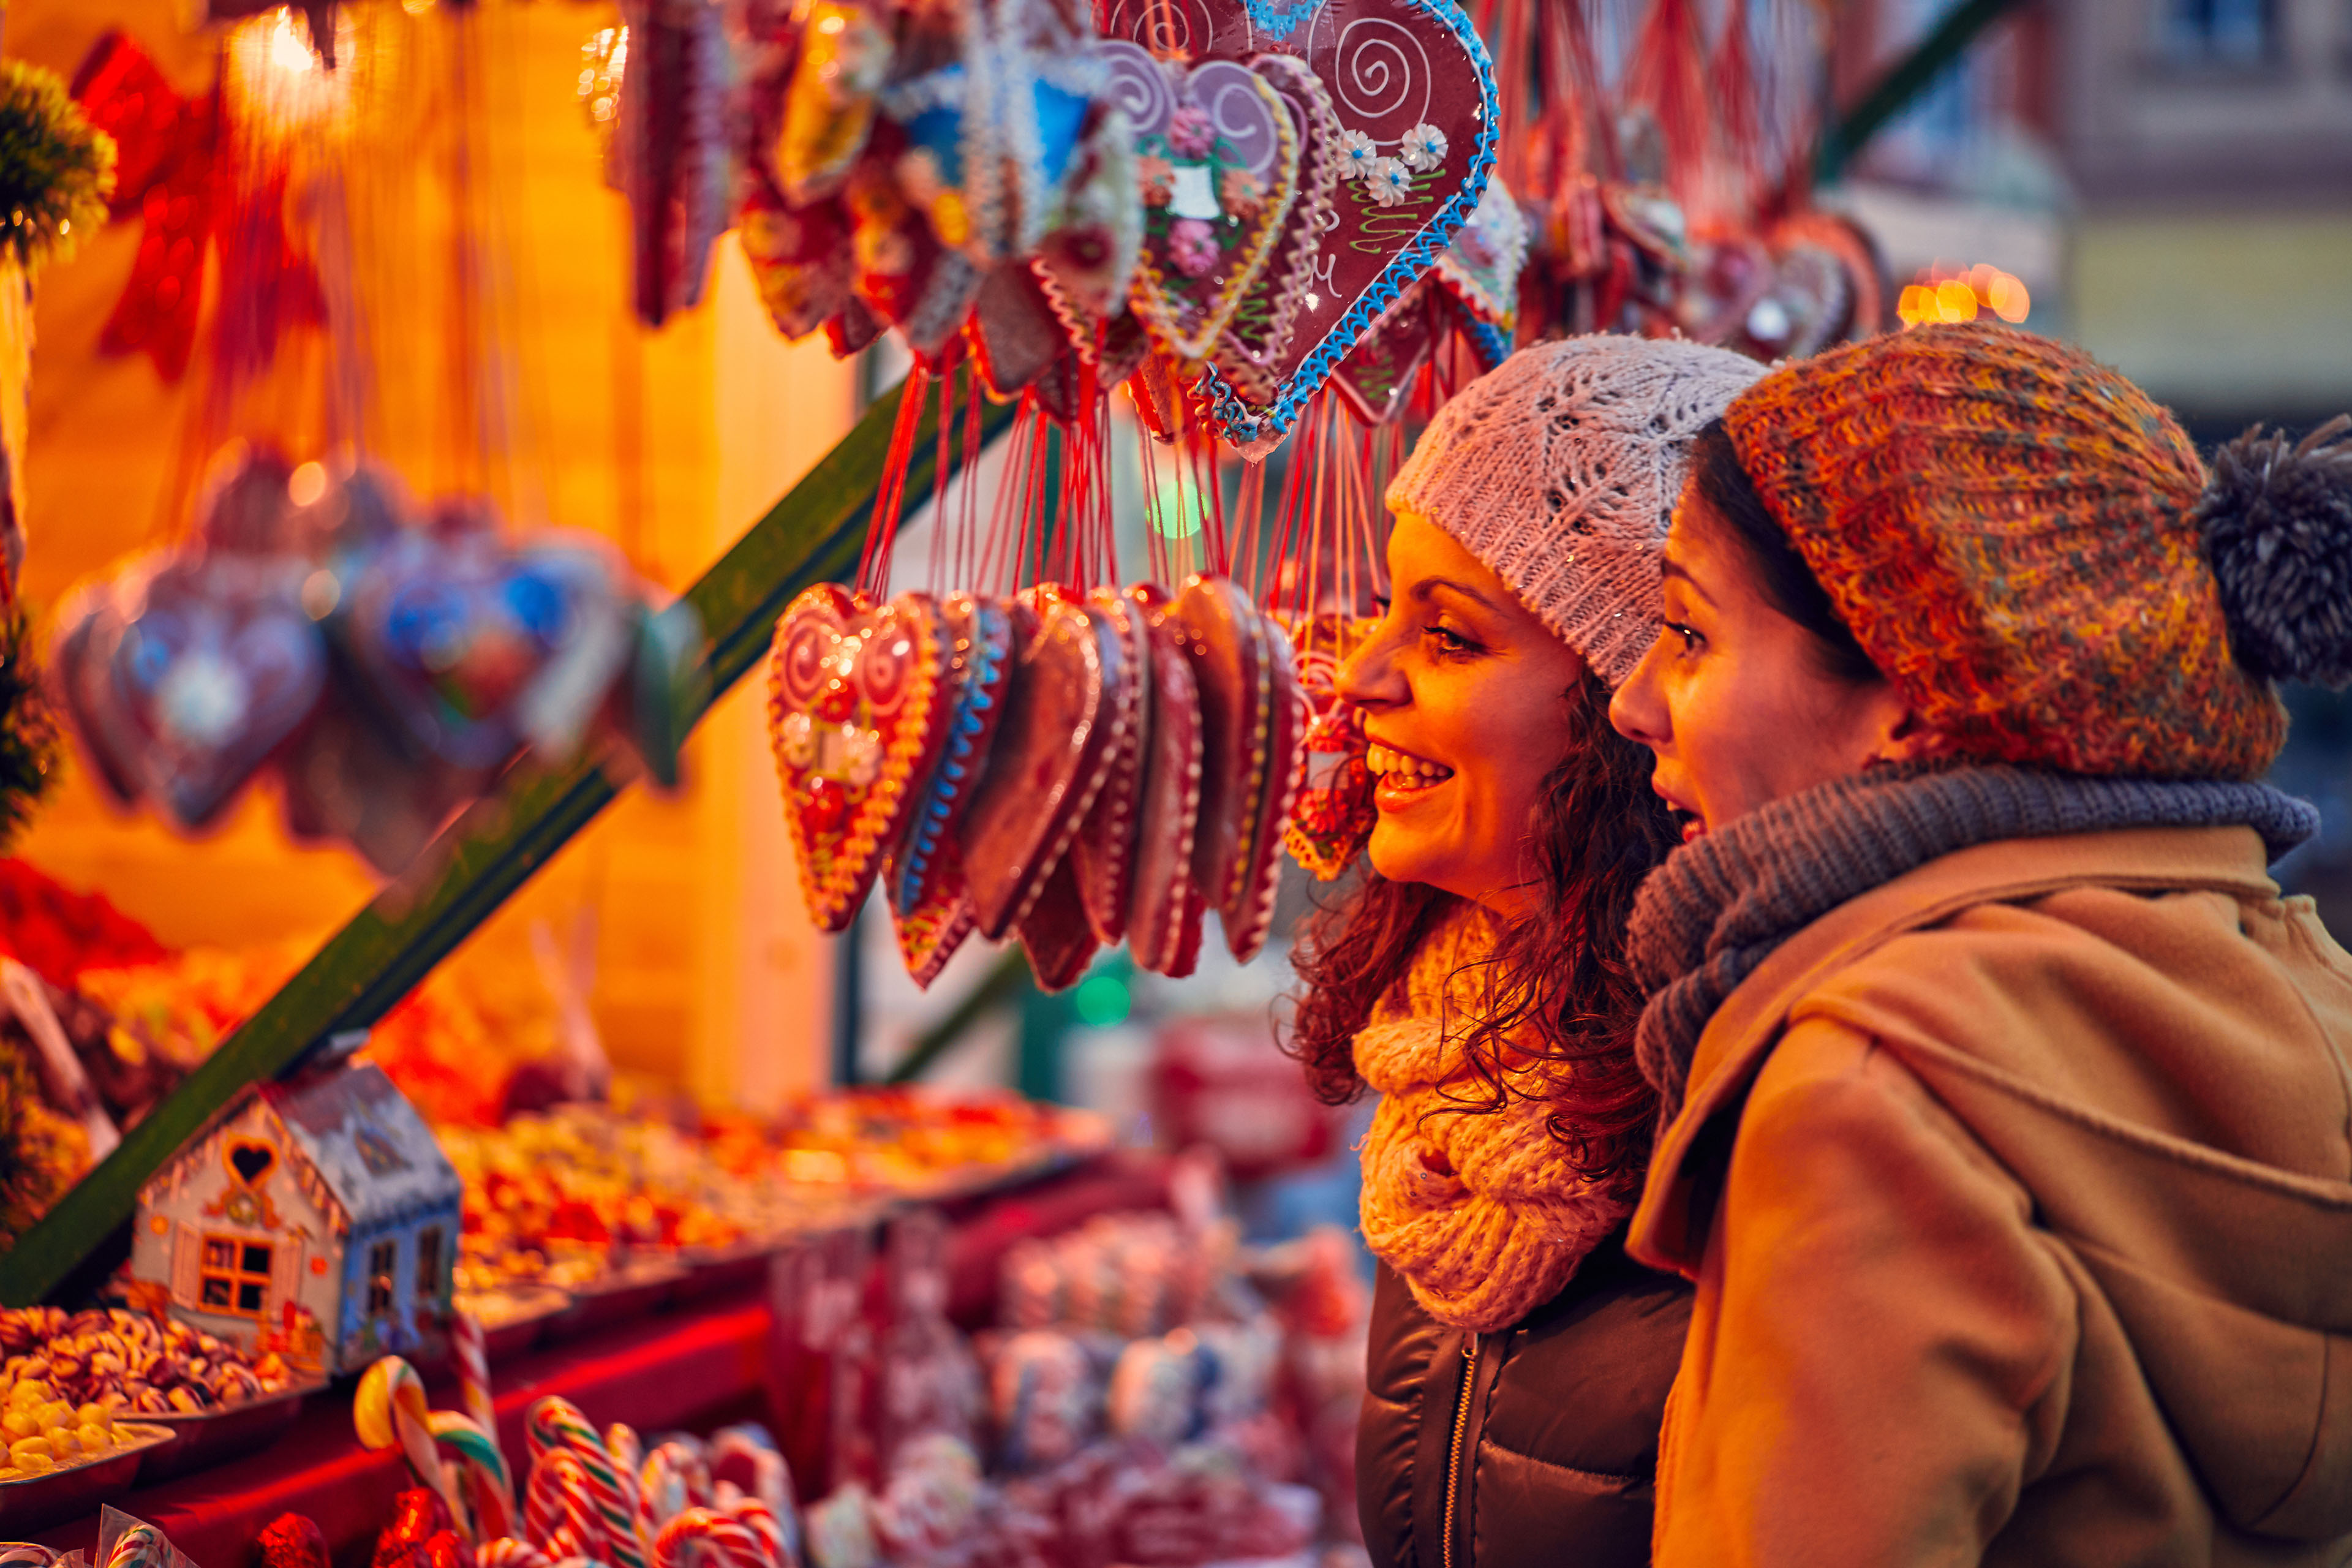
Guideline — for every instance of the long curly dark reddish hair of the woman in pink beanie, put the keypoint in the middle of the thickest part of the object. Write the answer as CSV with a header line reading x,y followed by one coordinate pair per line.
x,y
1561,981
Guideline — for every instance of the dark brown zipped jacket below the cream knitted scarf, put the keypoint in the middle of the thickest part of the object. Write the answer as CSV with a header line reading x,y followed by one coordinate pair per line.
x,y
1558,1449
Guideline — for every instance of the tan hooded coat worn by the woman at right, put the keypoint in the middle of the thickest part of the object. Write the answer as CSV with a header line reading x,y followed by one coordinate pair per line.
x,y
2019,1205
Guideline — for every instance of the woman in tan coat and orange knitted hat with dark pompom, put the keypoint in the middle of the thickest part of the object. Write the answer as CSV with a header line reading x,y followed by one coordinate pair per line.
x,y
2010,1106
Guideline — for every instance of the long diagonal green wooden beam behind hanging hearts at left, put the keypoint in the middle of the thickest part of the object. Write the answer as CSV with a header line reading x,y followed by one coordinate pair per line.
x,y
813,535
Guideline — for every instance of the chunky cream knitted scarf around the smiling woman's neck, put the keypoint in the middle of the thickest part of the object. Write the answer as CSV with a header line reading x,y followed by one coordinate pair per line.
x,y
1478,1212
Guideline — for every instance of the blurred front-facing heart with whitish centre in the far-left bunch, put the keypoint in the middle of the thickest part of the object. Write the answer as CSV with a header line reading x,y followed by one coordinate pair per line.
x,y
218,664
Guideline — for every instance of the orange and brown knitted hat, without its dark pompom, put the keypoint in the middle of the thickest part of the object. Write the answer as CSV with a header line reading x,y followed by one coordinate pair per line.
x,y
2014,537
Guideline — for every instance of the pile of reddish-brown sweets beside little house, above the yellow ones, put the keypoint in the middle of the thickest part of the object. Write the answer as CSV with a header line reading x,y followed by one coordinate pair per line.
x,y
128,1362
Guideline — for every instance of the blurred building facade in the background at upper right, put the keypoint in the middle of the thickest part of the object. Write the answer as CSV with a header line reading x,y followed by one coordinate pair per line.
x,y
2172,177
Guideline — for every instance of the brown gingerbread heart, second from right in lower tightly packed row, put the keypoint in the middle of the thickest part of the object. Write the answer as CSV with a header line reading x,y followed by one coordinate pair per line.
x,y
1227,643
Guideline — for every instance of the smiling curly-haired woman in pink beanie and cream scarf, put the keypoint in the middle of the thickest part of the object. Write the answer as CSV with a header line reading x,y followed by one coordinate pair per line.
x,y
1476,979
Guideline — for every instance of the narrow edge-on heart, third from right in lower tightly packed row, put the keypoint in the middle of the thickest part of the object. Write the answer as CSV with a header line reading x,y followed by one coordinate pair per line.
x,y
1165,906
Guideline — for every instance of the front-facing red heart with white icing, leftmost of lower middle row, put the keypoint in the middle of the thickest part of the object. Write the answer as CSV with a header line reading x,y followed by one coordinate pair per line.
x,y
860,706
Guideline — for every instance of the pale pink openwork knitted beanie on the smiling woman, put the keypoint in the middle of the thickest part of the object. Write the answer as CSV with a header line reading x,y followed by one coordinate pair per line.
x,y
1561,469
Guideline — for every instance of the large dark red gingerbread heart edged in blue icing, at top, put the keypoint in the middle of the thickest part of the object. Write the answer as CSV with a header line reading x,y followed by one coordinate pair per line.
x,y
1412,91
